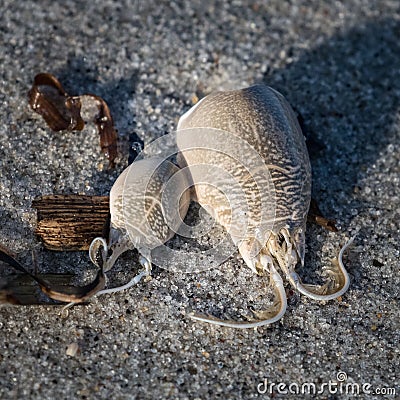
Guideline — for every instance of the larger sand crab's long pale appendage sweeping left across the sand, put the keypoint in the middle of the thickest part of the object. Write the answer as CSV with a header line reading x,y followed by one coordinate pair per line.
x,y
269,316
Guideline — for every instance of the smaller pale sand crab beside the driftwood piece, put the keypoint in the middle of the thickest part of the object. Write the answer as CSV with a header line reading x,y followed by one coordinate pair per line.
x,y
145,210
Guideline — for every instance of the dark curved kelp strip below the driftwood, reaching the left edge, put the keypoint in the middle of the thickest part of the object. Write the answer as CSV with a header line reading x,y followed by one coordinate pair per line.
x,y
68,294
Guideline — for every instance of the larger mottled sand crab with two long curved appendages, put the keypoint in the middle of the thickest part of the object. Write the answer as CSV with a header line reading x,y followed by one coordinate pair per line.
x,y
262,117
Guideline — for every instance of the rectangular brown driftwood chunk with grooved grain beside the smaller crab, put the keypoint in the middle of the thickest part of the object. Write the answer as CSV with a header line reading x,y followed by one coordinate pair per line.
x,y
71,222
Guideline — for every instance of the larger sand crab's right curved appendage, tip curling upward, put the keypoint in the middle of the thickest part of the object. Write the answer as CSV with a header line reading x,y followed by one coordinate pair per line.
x,y
336,286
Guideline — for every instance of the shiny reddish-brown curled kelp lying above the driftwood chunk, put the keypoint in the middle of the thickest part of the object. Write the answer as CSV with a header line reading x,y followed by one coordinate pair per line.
x,y
61,111
